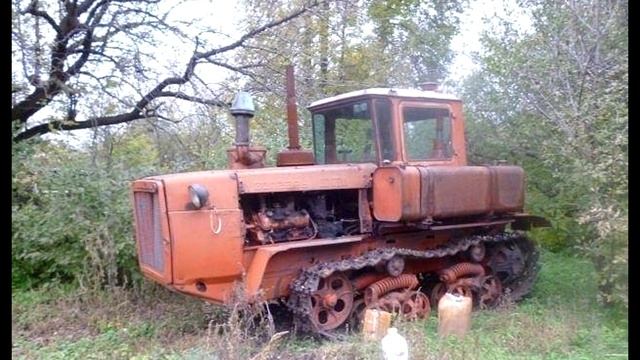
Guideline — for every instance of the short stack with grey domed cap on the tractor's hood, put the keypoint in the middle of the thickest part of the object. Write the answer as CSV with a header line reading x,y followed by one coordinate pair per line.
x,y
244,156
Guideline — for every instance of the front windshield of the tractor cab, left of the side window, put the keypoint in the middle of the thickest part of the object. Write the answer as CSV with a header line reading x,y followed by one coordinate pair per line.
x,y
344,134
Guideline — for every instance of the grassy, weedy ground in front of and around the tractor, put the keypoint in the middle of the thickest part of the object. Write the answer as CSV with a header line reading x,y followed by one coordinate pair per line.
x,y
560,320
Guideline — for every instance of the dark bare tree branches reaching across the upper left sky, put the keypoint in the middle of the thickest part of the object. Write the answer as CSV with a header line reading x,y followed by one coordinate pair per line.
x,y
58,76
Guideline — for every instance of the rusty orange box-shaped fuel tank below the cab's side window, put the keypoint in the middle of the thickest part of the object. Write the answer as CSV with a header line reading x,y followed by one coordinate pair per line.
x,y
415,193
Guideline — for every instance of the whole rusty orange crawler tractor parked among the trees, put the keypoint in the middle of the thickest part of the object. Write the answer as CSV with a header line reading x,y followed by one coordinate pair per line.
x,y
384,213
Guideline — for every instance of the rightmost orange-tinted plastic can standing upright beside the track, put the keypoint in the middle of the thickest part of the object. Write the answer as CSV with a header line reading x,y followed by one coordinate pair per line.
x,y
454,315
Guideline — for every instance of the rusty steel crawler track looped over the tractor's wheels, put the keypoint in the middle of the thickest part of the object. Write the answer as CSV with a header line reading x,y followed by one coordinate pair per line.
x,y
307,281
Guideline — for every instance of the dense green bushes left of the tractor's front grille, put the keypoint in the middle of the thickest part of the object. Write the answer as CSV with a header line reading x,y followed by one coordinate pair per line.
x,y
72,214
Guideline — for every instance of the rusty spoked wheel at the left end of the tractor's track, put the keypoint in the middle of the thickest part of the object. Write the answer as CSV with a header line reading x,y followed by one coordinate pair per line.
x,y
332,303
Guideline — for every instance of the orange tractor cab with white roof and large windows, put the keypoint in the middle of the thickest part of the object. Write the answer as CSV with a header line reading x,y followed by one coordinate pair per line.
x,y
385,126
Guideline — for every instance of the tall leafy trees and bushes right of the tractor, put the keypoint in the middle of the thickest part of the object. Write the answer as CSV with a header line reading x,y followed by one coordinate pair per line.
x,y
554,100
